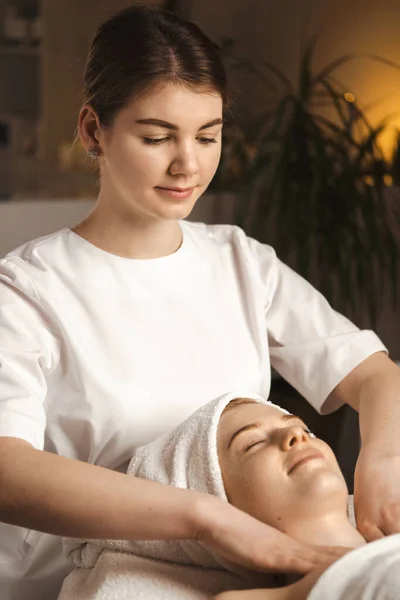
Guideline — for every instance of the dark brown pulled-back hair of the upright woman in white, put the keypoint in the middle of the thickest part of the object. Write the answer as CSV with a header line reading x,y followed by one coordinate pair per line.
x,y
141,48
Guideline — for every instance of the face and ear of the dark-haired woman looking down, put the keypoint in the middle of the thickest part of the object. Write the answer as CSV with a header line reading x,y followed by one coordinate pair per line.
x,y
167,138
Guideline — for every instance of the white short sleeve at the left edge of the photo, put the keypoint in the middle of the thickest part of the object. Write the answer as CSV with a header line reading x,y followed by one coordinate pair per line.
x,y
29,351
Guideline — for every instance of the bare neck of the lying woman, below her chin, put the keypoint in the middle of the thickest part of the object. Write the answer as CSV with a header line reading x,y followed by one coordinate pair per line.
x,y
333,529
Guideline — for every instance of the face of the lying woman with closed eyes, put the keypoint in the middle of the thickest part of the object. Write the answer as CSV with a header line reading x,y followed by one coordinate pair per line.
x,y
273,469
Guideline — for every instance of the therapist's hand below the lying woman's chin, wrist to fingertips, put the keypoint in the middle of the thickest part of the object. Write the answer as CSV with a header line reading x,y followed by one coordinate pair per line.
x,y
243,540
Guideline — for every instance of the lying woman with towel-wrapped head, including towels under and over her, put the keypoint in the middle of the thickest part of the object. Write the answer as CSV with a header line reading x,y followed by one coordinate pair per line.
x,y
264,461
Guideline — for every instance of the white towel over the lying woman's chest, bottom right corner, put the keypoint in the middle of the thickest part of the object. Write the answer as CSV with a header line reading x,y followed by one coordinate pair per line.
x,y
371,572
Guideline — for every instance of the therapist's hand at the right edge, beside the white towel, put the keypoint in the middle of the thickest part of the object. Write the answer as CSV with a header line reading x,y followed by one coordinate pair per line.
x,y
377,493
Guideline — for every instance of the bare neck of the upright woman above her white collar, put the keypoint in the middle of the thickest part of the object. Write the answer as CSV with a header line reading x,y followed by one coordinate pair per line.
x,y
130,236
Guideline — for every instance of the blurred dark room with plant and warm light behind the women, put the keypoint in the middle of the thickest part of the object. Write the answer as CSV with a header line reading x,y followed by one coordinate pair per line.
x,y
311,160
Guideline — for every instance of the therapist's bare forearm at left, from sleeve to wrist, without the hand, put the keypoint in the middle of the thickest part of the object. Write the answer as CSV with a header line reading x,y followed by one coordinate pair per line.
x,y
57,495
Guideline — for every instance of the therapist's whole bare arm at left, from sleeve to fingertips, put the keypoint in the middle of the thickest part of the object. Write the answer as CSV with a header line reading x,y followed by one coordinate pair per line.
x,y
65,497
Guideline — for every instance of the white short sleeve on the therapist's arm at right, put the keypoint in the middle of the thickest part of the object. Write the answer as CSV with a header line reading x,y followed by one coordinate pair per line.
x,y
311,345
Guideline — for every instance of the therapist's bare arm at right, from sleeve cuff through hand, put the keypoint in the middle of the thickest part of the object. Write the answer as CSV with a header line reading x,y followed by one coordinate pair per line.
x,y
373,388
